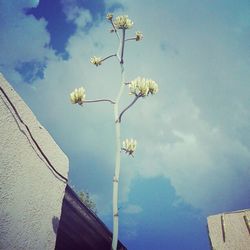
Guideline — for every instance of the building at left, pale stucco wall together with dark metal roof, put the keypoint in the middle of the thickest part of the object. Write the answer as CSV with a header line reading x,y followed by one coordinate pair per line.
x,y
38,210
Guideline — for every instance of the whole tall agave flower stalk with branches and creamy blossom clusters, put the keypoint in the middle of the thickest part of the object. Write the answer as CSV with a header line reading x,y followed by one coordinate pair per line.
x,y
139,87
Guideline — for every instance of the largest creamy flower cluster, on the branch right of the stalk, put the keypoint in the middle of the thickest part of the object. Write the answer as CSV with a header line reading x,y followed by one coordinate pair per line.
x,y
143,87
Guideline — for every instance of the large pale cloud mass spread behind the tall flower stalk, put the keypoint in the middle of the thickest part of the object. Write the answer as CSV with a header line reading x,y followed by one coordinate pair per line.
x,y
194,132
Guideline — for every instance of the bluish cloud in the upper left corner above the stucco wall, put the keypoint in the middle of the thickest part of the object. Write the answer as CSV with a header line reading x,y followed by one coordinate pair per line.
x,y
23,38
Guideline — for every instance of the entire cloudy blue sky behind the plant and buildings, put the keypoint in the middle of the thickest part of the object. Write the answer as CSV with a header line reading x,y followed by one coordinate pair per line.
x,y
193,156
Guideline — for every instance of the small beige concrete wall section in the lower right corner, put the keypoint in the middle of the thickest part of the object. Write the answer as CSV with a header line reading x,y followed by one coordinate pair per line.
x,y
230,231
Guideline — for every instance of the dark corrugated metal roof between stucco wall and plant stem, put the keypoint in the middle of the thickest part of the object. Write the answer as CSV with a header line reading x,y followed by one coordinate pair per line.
x,y
80,228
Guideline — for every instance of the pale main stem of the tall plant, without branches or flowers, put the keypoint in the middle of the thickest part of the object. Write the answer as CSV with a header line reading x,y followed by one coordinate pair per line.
x,y
118,151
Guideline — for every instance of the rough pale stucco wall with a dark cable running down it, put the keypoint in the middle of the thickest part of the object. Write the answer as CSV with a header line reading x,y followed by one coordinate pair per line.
x,y
31,193
